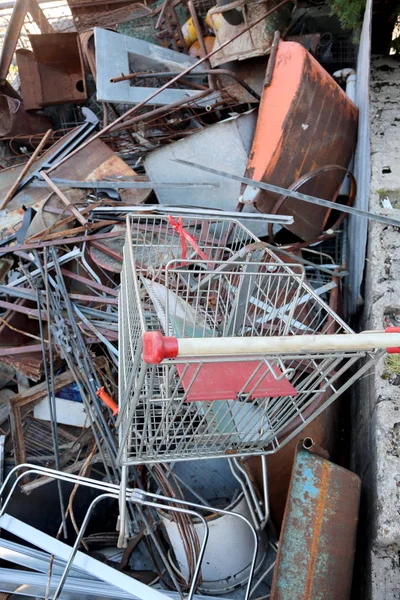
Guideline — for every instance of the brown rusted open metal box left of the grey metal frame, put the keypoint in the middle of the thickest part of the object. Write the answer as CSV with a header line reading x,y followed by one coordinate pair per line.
x,y
54,72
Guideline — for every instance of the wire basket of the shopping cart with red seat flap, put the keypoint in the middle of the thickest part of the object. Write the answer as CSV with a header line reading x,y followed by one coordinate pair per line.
x,y
226,286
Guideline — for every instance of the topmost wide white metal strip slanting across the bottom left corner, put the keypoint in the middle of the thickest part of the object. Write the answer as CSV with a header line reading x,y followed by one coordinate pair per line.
x,y
82,561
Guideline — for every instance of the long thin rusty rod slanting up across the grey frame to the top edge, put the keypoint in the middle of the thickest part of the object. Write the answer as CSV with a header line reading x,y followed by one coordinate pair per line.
x,y
135,108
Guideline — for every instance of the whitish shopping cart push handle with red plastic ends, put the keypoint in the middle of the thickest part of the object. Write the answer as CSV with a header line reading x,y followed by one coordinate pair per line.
x,y
157,348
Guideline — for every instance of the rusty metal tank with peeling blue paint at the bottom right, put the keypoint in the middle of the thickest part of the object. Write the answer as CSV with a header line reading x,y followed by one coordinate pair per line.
x,y
317,544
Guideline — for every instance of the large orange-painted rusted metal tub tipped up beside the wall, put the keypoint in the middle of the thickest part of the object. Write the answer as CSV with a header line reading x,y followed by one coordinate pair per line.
x,y
306,122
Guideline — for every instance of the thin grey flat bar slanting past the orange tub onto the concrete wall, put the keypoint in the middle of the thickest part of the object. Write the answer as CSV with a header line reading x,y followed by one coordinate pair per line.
x,y
291,194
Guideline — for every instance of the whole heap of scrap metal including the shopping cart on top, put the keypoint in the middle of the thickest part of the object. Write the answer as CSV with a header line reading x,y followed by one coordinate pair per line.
x,y
174,186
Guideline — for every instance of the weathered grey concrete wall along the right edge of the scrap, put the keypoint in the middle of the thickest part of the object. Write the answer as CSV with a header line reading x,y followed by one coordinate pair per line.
x,y
376,405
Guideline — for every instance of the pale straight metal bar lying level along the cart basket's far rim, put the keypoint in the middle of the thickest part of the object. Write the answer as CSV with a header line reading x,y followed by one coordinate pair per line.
x,y
164,209
